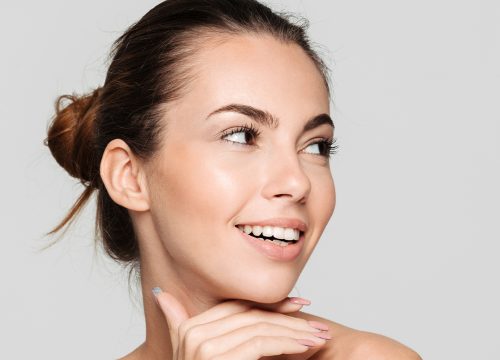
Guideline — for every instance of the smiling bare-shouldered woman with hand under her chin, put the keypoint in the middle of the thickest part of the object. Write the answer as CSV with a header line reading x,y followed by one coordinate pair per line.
x,y
208,146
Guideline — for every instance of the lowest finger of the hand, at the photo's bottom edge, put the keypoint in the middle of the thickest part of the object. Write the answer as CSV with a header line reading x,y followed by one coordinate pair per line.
x,y
258,347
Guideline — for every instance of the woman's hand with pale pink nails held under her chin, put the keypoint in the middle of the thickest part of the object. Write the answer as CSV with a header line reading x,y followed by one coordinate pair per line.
x,y
237,329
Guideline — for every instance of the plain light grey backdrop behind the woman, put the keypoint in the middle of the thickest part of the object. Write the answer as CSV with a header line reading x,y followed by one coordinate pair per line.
x,y
412,250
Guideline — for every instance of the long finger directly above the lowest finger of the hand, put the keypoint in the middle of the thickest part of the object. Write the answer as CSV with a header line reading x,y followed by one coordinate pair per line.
x,y
221,344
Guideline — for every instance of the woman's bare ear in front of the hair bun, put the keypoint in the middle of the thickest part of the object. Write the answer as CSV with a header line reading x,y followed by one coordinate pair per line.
x,y
124,177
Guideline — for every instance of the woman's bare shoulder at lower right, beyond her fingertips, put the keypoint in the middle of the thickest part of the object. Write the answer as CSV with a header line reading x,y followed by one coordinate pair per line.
x,y
352,344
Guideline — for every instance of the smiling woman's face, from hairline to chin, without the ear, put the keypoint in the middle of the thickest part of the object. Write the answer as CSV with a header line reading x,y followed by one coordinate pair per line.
x,y
204,182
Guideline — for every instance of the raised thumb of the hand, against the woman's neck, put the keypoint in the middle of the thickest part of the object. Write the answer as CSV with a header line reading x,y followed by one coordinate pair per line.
x,y
174,313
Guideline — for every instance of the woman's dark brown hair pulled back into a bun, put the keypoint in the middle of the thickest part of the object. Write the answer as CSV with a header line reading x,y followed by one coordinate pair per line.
x,y
145,73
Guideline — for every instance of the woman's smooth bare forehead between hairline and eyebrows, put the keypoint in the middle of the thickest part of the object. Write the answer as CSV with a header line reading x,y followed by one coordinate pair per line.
x,y
258,70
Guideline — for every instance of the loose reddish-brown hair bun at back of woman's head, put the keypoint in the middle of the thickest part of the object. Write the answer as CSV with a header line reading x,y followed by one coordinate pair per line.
x,y
70,136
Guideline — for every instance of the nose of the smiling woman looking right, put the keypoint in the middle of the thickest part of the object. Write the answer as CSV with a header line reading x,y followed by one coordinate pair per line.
x,y
285,177
